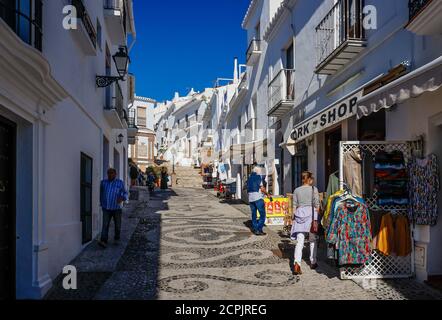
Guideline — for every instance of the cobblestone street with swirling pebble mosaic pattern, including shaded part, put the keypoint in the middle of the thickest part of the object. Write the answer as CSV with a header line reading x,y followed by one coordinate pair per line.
x,y
186,244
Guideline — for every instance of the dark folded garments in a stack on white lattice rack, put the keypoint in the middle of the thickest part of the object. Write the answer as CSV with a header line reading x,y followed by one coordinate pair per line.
x,y
391,178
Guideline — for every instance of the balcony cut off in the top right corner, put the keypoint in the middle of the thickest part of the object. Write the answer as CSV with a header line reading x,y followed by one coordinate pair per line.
x,y
425,17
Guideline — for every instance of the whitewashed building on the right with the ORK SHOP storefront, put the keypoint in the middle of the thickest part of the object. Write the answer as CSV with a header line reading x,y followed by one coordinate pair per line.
x,y
346,70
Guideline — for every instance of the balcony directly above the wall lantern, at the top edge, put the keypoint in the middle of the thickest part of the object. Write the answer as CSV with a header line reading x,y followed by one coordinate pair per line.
x,y
116,20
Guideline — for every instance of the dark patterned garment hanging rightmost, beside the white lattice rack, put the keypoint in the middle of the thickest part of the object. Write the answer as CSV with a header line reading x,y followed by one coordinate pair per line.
x,y
423,188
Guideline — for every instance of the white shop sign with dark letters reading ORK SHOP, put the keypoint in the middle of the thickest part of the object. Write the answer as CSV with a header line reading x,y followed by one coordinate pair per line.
x,y
330,116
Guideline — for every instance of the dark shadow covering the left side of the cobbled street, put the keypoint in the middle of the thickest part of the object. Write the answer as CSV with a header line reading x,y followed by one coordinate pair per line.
x,y
129,270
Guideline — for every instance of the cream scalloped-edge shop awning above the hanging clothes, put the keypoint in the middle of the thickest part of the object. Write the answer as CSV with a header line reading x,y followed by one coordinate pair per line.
x,y
425,79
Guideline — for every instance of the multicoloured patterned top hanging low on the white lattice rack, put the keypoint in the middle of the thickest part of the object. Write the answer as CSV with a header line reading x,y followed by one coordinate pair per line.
x,y
350,232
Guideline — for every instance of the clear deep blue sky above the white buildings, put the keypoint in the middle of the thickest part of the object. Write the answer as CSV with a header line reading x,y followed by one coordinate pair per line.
x,y
184,44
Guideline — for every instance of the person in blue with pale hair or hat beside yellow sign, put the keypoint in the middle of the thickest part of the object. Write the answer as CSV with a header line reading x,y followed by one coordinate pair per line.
x,y
256,191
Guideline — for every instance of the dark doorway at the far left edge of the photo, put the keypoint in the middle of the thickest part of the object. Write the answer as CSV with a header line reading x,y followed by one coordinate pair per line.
x,y
7,209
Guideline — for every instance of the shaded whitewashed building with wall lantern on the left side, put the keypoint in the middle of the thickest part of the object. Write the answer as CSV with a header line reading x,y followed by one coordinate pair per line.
x,y
59,132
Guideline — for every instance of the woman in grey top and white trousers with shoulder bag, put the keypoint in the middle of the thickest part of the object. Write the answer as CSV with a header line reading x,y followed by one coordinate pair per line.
x,y
305,221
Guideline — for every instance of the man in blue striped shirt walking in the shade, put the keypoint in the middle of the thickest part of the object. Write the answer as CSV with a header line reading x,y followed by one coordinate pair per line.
x,y
112,195
